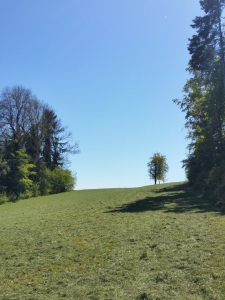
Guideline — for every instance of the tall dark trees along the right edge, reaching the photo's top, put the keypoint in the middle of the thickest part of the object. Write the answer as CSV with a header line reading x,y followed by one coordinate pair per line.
x,y
204,102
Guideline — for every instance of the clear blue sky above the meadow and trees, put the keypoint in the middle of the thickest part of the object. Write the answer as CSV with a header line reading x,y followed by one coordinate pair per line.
x,y
110,70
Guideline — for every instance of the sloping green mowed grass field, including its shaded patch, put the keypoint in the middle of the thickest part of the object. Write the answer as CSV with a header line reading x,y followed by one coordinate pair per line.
x,y
153,242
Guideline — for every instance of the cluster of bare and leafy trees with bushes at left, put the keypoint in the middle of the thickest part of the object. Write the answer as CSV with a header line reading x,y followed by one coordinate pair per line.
x,y
34,147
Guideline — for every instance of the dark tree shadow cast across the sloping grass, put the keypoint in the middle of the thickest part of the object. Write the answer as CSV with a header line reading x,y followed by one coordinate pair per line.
x,y
178,199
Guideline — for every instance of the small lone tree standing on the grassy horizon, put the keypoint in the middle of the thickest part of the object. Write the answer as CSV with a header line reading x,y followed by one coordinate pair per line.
x,y
157,167
